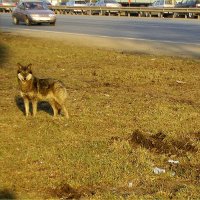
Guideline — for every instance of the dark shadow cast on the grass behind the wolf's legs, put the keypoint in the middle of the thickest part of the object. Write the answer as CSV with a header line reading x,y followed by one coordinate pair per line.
x,y
42,106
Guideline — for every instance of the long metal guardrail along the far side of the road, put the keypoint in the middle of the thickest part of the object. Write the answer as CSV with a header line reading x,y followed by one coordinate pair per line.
x,y
123,11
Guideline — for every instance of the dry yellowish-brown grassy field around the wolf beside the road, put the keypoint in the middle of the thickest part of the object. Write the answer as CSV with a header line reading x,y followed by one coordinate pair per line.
x,y
129,113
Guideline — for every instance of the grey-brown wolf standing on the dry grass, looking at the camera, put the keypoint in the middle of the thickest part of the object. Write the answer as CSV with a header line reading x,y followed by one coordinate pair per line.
x,y
34,89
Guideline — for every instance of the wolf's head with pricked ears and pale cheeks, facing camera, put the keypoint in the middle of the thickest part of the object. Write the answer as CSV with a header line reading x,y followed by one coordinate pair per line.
x,y
24,72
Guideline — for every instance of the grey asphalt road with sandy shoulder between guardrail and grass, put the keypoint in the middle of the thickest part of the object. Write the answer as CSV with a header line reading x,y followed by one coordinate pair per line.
x,y
152,35
